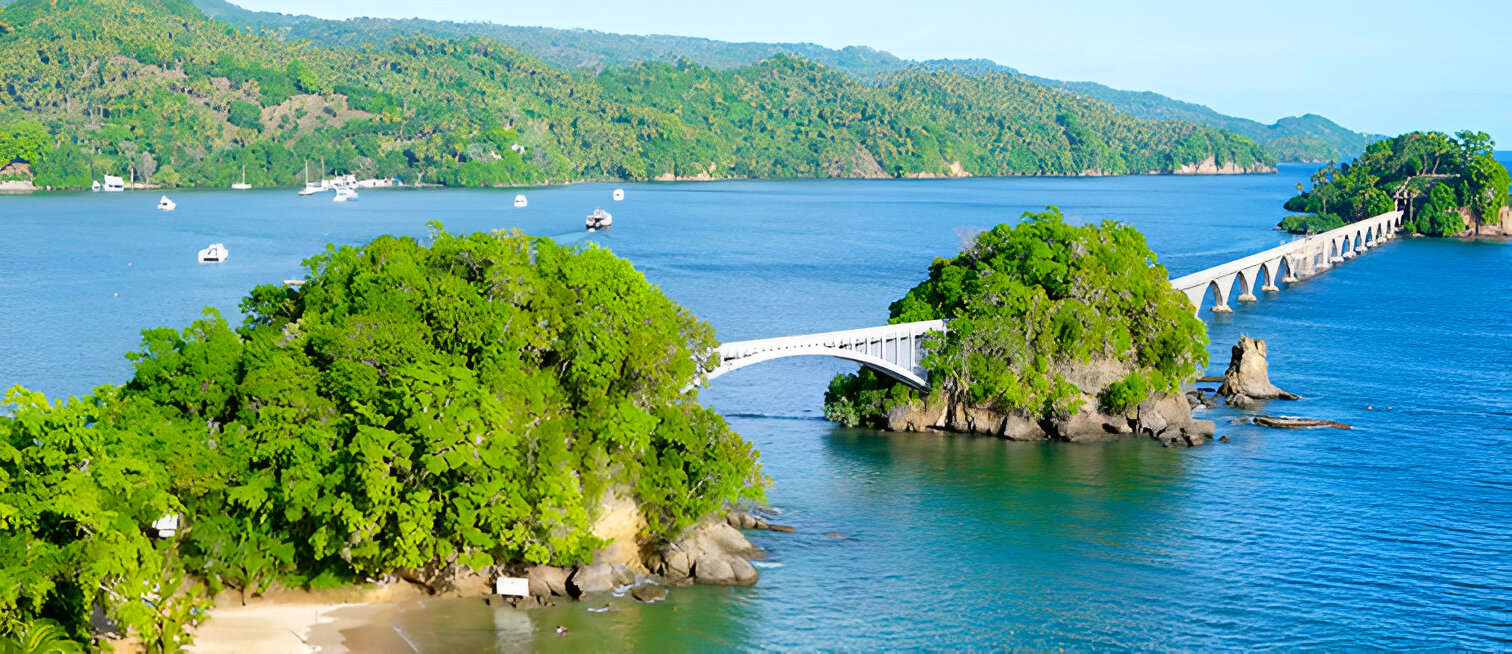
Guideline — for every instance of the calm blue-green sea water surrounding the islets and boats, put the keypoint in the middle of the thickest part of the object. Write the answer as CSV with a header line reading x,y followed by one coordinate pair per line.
x,y
1393,535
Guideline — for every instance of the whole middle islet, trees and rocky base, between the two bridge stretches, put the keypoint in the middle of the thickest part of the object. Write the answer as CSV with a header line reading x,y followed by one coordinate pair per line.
x,y
1056,333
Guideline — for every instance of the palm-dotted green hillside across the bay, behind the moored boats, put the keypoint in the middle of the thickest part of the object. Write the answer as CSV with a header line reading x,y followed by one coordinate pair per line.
x,y
117,84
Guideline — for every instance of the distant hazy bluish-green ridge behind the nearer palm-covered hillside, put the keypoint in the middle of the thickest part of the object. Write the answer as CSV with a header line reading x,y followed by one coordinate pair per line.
x,y
1309,138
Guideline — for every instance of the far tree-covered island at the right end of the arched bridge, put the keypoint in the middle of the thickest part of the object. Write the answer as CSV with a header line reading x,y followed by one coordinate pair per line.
x,y
1449,187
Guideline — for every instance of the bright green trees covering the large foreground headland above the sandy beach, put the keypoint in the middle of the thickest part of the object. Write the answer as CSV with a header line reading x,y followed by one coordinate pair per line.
x,y
468,403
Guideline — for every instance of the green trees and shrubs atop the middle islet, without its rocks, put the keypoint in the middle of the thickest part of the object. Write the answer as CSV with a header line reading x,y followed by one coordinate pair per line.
x,y
1029,301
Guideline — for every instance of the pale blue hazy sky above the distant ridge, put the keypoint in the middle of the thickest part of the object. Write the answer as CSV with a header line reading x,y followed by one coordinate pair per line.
x,y
1384,67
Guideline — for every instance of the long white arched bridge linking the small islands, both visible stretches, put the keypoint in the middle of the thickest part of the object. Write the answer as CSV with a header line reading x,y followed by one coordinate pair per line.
x,y
897,350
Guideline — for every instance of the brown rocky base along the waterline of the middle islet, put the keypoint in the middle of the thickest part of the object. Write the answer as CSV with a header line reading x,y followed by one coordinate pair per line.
x,y
1167,419
